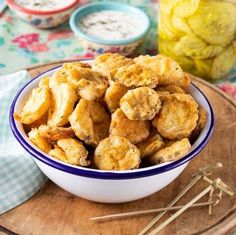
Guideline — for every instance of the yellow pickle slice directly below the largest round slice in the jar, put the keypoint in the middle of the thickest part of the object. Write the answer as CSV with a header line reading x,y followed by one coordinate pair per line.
x,y
193,46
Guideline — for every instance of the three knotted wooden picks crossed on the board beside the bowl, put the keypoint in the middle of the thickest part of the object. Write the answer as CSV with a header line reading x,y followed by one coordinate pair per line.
x,y
216,187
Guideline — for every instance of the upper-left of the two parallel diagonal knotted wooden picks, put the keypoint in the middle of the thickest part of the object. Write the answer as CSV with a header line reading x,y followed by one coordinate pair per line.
x,y
200,173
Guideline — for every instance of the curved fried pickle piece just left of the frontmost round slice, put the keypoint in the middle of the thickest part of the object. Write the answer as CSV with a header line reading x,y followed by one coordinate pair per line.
x,y
75,151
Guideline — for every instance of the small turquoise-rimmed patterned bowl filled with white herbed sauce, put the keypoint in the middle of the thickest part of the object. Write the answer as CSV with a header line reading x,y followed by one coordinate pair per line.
x,y
110,27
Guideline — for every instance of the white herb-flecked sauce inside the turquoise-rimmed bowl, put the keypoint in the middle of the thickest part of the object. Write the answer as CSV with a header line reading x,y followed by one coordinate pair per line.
x,y
110,25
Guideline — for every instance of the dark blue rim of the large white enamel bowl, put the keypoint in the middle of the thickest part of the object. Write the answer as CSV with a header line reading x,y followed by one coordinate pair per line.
x,y
94,173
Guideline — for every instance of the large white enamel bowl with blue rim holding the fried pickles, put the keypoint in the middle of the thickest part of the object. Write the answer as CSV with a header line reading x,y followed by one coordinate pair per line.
x,y
108,186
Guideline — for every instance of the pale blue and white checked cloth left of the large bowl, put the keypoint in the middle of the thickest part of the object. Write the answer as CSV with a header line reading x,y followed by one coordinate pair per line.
x,y
20,177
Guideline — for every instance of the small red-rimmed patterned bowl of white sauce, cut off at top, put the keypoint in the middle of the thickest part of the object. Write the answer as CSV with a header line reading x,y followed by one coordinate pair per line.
x,y
43,13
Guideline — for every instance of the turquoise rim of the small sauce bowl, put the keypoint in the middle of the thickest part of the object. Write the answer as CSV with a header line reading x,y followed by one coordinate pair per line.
x,y
114,6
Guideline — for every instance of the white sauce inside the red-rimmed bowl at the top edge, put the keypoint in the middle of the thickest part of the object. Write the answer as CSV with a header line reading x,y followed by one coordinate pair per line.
x,y
44,5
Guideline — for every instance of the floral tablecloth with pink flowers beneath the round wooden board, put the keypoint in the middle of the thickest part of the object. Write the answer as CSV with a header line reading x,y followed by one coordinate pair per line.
x,y
21,45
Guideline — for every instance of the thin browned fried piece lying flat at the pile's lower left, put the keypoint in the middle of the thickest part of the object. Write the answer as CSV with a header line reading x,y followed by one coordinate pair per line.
x,y
56,133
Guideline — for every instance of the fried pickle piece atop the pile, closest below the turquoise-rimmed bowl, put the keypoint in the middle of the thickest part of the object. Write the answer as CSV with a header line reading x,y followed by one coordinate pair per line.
x,y
107,64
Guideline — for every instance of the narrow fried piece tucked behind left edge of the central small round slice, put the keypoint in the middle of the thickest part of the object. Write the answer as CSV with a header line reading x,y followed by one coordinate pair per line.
x,y
113,95
